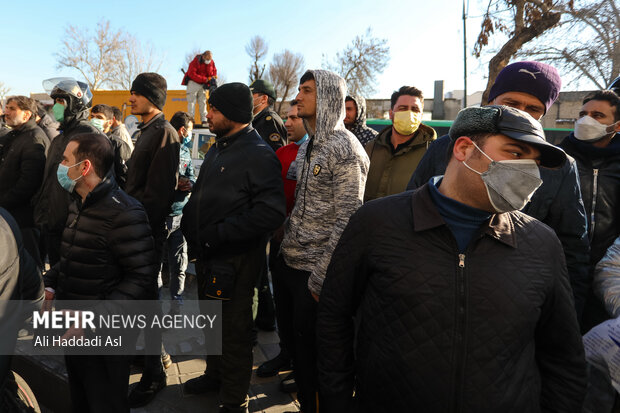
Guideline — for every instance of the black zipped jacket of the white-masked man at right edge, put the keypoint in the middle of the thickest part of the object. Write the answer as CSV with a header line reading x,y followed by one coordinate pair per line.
x,y
599,176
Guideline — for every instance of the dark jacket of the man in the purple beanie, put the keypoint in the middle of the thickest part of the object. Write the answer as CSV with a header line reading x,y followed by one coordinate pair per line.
x,y
556,203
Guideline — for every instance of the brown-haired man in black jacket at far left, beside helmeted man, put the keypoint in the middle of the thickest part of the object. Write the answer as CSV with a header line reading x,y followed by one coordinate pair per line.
x,y
22,161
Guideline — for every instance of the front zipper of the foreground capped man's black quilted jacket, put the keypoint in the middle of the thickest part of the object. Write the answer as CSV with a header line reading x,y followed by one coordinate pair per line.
x,y
459,334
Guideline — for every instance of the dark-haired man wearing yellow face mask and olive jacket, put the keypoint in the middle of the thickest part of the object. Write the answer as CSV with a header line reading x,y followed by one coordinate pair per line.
x,y
397,150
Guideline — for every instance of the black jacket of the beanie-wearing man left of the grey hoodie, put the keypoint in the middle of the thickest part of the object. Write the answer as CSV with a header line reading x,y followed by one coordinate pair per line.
x,y
238,198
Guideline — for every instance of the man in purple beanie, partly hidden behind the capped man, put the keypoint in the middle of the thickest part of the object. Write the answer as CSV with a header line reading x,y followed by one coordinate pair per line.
x,y
533,87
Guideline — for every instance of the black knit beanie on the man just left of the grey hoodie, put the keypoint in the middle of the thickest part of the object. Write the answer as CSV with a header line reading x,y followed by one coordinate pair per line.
x,y
234,100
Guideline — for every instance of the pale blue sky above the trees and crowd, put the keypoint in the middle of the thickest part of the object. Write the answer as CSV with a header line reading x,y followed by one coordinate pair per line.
x,y
425,37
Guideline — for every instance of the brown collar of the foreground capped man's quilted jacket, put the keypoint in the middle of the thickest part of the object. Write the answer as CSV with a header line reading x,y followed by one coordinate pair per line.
x,y
426,216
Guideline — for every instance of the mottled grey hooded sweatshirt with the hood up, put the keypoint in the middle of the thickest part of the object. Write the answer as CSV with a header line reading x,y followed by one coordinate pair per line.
x,y
332,167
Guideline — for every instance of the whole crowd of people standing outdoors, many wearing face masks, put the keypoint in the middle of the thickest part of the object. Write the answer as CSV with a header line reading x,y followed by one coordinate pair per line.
x,y
409,272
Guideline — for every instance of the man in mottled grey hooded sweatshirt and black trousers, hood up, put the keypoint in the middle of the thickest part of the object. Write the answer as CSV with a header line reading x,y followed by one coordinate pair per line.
x,y
331,175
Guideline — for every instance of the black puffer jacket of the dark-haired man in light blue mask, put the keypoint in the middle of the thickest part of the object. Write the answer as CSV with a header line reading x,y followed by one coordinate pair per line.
x,y
107,250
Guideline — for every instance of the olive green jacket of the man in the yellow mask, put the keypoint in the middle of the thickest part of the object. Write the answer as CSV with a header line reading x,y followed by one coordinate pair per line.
x,y
390,172
